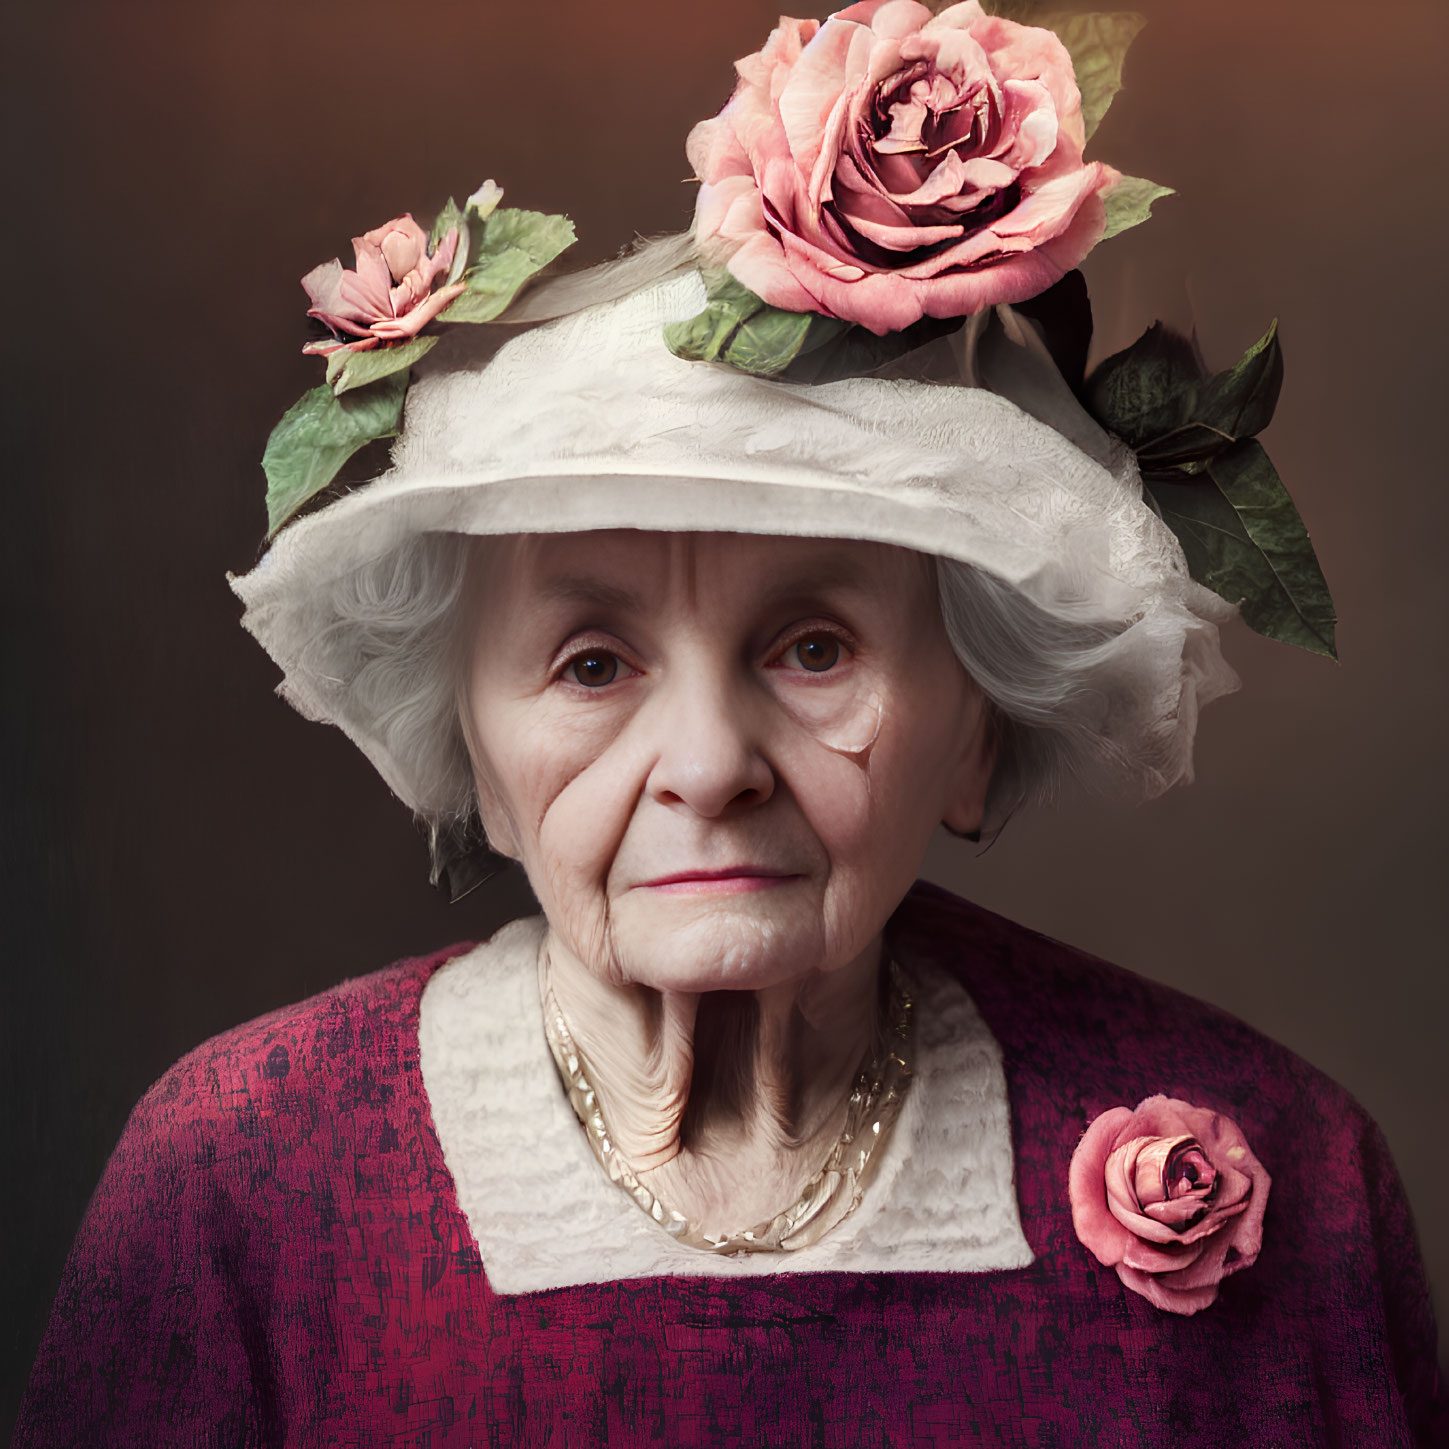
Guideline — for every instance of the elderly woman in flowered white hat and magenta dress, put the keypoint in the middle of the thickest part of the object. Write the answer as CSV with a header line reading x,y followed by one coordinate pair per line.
x,y
738,569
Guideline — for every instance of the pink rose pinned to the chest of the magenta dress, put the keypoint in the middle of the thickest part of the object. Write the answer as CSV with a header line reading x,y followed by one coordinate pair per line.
x,y
1172,1198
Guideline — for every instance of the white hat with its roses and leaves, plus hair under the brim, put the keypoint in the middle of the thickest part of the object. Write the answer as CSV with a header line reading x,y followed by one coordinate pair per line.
x,y
888,343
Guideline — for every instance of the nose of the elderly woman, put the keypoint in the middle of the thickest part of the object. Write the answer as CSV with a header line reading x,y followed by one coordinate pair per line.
x,y
708,748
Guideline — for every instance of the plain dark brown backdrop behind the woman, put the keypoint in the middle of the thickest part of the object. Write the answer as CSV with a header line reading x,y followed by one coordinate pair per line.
x,y
185,853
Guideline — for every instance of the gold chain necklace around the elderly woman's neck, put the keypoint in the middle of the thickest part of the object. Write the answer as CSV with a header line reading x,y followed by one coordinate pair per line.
x,y
831,1196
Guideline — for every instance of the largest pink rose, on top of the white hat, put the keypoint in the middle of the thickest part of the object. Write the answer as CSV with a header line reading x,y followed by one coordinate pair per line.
x,y
890,164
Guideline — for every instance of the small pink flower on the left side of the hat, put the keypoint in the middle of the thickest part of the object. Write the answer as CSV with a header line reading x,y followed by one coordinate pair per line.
x,y
392,296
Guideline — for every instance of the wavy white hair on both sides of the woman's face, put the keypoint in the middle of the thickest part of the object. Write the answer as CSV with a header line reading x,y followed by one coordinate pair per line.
x,y
396,648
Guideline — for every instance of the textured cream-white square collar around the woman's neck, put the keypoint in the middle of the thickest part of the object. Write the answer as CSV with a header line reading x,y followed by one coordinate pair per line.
x,y
546,1216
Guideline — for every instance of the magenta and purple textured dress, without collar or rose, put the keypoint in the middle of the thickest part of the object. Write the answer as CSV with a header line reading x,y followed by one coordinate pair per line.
x,y
276,1257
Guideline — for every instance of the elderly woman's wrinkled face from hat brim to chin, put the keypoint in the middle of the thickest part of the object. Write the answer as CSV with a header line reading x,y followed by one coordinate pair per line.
x,y
719,757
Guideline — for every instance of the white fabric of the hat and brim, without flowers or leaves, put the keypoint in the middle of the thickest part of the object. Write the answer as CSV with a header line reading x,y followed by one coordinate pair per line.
x,y
590,422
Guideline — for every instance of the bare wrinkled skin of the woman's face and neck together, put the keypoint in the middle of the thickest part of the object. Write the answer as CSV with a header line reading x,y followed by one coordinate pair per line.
x,y
785,715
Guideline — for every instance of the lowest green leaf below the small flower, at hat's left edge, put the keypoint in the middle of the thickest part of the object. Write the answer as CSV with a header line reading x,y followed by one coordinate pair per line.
x,y
318,435
